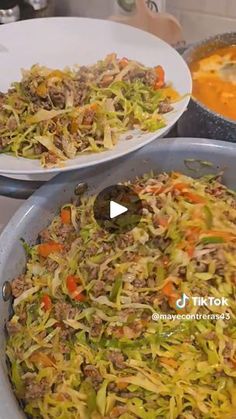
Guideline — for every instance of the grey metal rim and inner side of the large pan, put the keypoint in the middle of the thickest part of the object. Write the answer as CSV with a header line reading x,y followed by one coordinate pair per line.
x,y
36,213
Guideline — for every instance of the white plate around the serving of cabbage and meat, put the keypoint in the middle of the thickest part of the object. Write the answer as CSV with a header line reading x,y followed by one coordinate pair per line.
x,y
58,42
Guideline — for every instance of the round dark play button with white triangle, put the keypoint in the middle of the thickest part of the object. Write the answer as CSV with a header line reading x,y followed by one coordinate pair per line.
x,y
117,209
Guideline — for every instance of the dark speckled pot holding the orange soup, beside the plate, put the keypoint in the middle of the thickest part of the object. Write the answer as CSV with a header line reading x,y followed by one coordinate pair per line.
x,y
198,120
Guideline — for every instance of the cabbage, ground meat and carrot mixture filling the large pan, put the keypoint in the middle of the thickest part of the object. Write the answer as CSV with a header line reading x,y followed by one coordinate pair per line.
x,y
82,340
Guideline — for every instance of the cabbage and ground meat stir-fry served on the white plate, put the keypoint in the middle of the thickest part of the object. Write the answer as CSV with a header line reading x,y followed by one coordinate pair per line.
x,y
55,115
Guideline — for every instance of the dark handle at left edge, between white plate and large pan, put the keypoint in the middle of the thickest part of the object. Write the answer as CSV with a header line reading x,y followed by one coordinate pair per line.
x,y
18,189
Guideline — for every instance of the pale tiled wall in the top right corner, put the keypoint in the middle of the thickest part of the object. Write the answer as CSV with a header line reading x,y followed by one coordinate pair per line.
x,y
201,18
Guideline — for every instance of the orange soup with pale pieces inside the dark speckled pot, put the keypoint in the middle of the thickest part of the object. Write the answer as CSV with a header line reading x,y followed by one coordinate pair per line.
x,y
214,81
